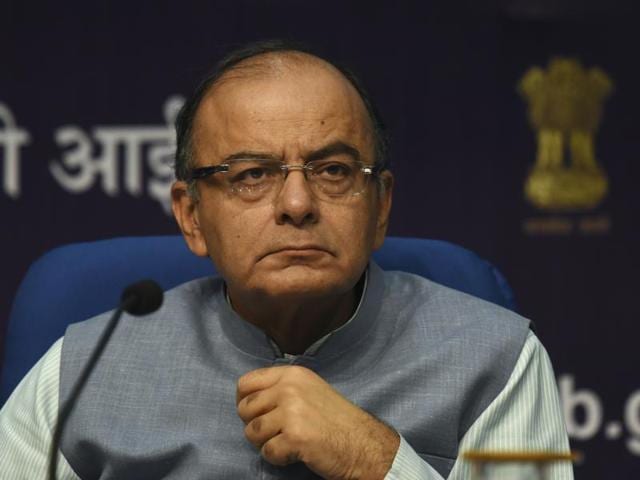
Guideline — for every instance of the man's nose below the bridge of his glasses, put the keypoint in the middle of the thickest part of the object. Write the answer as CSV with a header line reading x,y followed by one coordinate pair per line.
x,y
296,204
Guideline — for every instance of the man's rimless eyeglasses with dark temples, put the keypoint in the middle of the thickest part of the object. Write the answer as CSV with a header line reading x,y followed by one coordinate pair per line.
x,y
254,180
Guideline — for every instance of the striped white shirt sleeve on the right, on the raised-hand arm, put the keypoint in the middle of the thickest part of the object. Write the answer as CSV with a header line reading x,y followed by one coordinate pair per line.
x,y
525,416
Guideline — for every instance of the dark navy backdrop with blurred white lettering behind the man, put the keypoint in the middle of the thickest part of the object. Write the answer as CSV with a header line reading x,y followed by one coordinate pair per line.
x,y
88,91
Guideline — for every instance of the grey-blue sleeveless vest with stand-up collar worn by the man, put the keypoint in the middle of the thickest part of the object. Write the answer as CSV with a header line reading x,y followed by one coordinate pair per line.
x,y
424,358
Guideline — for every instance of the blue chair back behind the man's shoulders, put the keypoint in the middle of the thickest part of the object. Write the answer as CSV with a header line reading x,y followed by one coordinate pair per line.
x,y
75,282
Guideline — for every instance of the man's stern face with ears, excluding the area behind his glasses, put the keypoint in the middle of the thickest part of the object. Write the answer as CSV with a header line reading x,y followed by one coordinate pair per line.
x,y
296,245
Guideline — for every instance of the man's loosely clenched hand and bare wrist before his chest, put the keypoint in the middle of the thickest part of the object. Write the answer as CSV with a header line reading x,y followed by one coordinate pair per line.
x,y
293,415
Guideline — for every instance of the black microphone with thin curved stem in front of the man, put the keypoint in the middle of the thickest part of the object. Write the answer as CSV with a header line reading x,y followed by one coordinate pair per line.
x,y
140,298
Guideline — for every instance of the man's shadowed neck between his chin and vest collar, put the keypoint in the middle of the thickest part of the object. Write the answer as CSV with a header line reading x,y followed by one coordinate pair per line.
x,y
296,325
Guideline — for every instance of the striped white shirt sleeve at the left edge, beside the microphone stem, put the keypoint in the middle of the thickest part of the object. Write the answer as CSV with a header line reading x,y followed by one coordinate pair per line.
x,y
27,421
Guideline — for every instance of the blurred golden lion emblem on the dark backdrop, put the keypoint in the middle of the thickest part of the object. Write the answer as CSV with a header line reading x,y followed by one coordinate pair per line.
x,y
565,109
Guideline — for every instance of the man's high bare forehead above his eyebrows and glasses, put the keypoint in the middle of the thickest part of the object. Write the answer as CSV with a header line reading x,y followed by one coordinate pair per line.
x,y
282,108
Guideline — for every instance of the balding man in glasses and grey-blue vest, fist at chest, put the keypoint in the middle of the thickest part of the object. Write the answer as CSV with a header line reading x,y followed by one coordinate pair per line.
x,y
307,360
